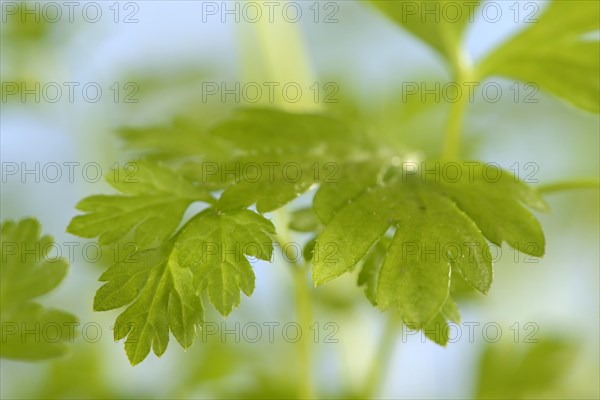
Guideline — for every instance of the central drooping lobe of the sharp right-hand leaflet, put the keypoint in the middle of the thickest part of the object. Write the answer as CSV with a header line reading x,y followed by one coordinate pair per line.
x,y
415,275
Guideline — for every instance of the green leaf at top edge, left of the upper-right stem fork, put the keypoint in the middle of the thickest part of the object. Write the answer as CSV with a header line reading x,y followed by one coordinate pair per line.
x,y
442,29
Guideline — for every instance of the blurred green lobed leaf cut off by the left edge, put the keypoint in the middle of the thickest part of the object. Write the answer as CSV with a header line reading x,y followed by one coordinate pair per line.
x,y
30,331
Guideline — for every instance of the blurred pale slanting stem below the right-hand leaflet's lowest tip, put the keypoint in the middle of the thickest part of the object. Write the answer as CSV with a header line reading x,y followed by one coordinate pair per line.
x,y
381,359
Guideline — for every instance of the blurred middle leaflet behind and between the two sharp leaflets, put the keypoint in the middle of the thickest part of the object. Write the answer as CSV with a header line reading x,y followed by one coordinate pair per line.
x,y
275,156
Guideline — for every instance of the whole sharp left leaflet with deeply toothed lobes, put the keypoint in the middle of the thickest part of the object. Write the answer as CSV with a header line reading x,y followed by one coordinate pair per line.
x,y
162,282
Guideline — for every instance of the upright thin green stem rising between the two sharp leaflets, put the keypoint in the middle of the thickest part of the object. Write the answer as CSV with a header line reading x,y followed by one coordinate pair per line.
x,y
302,297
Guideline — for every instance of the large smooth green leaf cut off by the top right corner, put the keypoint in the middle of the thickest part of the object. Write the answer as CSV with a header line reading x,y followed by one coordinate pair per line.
x,y
555,54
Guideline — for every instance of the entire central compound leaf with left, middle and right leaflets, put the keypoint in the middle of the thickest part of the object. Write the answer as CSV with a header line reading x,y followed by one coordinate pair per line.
x,y
441,225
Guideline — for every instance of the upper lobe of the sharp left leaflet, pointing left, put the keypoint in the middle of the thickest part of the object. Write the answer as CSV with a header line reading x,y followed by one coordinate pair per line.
x,y
153,202
